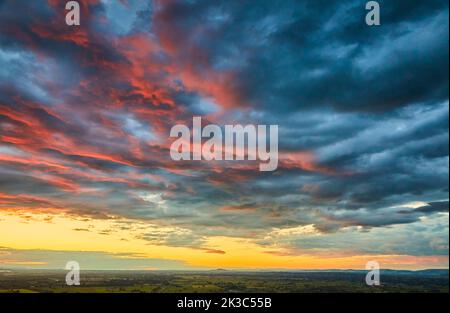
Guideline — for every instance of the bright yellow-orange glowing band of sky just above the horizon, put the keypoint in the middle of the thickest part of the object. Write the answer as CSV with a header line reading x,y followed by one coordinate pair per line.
x,y
62,232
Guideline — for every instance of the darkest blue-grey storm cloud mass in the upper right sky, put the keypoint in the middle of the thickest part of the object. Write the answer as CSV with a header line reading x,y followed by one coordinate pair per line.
x,y
292,55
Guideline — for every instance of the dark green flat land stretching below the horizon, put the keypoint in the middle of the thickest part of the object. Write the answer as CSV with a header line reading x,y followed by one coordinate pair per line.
x,y
222,281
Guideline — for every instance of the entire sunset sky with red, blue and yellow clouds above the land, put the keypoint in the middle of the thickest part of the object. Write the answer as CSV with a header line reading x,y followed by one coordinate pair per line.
x,y
86,112
